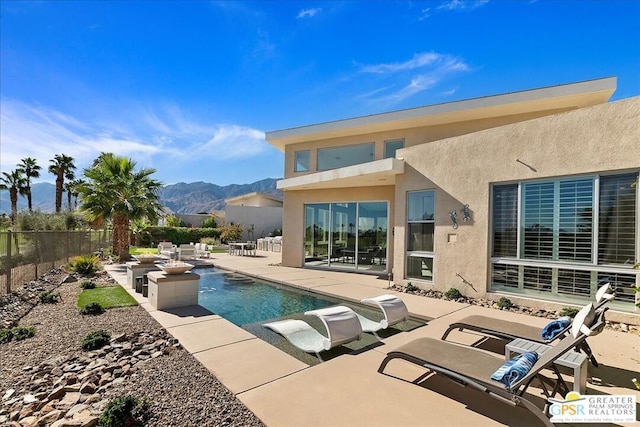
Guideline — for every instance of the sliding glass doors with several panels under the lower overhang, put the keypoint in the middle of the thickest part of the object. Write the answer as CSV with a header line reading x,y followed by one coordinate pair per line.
x,y
347,235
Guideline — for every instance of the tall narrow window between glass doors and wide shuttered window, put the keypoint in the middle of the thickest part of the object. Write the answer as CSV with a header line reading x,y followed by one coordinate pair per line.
x,y
420,232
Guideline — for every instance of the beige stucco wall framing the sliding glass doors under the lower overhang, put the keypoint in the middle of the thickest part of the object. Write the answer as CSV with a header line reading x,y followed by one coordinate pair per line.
x,y
293,217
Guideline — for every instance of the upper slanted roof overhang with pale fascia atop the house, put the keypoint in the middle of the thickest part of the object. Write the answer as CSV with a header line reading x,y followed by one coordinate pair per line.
x,y
551,99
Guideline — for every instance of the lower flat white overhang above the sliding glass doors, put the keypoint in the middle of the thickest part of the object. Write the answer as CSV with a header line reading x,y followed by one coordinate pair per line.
x,y
370,174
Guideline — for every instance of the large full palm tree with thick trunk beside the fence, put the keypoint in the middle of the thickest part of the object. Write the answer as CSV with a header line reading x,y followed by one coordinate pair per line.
x,y
115,191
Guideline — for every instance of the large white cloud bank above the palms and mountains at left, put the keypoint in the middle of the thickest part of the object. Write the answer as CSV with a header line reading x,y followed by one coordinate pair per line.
x,y
146,135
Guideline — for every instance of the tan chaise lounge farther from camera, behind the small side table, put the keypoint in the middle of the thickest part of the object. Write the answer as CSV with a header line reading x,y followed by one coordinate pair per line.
x,y
508,331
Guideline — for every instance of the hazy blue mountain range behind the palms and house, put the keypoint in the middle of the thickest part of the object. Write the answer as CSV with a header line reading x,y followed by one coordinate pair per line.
x,y
185,198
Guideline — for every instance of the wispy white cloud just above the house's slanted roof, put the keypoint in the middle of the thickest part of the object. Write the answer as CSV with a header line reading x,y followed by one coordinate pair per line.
x,y
422,72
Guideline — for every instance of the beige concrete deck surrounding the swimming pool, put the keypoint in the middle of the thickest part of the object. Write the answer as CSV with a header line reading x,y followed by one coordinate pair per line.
x,y
348,390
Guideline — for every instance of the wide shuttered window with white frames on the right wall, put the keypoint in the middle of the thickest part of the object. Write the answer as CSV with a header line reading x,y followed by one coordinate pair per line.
x,y
566,236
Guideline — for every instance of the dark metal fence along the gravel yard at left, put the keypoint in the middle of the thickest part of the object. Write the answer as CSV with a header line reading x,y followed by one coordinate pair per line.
x,y
24,255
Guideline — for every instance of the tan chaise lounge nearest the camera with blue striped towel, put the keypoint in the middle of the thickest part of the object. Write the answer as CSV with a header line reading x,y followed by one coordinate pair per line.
x,y
471,367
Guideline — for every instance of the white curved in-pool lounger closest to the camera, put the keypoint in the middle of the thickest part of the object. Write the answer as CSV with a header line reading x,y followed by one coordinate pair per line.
x,y
341,323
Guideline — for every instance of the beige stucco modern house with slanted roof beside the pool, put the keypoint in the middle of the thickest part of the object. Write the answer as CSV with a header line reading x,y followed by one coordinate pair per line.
x,y
526,194
